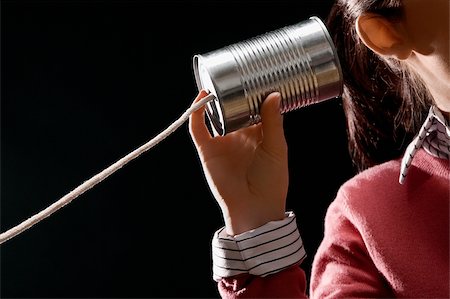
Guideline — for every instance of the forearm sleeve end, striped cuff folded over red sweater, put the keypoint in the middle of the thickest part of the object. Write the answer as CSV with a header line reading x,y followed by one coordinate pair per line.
x,y
263,262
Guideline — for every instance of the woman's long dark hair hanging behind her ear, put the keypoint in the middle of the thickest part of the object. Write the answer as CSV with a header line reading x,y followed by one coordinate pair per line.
x,y
385,102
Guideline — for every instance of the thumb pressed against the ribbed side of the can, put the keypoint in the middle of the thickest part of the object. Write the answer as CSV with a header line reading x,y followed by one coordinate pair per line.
x,y
272,124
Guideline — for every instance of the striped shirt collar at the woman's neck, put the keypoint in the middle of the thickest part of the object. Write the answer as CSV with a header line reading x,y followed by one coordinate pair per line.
x,y
433,137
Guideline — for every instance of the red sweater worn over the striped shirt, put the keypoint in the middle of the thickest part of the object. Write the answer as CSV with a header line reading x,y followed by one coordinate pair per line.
x,y
382,239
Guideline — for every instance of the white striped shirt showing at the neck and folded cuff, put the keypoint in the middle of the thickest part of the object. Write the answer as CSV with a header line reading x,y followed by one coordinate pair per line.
x,y
277,245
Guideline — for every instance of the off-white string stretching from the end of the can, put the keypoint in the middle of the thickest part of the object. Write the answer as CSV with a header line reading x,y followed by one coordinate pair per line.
x,y
14,231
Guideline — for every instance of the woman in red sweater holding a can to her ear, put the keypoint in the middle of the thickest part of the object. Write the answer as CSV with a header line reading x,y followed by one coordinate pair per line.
x,y
387,231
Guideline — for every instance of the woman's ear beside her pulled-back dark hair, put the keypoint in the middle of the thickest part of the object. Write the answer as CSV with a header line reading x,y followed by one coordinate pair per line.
x,y
383,36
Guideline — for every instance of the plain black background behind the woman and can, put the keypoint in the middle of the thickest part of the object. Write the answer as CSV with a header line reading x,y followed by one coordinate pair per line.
x,y
86,82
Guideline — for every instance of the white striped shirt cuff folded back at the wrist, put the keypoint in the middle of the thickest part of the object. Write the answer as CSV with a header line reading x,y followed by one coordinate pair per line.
x,y
263,251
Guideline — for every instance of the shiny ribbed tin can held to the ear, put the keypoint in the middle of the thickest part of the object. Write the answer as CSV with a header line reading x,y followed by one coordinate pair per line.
x,y
299,61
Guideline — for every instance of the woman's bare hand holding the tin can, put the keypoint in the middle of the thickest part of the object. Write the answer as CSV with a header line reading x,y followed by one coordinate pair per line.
x,y
247,170
